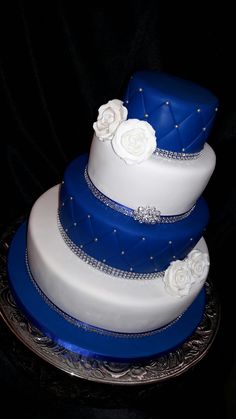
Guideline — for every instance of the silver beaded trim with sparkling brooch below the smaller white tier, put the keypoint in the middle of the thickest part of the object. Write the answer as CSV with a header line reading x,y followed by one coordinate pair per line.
x,y
147,215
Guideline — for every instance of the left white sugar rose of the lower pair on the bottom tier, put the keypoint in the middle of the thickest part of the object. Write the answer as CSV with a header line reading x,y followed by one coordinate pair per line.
x,y
177,279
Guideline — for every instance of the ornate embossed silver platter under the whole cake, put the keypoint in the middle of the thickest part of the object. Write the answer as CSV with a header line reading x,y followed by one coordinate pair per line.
x,y
158,369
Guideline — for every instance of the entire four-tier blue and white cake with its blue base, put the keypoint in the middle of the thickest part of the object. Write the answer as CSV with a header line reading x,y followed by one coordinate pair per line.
x,y
115,260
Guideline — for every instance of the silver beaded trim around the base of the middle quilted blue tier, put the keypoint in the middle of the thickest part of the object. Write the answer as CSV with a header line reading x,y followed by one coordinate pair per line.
x,y
101,266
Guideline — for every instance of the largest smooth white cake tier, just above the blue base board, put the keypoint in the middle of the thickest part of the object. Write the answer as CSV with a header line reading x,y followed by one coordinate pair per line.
x,y
111,303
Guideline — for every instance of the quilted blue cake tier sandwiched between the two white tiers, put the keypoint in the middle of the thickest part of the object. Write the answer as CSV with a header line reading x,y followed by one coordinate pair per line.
x,y
117,240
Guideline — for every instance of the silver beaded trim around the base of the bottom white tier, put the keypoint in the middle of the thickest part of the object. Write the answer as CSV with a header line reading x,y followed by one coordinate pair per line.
x,y
89,327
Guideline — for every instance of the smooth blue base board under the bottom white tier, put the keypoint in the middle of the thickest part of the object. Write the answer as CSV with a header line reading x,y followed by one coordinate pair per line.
x,y
83,341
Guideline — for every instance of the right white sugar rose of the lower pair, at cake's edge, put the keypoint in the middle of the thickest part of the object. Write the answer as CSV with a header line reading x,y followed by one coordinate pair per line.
x,y
198,263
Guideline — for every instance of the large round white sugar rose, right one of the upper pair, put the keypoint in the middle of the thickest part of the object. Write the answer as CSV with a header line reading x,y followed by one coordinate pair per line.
x,y
134,141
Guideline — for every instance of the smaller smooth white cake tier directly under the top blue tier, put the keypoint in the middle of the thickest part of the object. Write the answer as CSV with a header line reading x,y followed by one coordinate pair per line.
x,y
170,185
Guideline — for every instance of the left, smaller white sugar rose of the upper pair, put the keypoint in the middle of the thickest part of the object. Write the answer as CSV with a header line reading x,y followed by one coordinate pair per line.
x,y
110,116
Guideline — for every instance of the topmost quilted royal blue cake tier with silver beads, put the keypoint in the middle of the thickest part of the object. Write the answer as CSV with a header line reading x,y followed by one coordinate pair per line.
x,y
181,112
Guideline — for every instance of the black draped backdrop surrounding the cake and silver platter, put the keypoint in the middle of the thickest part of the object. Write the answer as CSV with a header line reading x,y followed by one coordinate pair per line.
x,y
58,63
